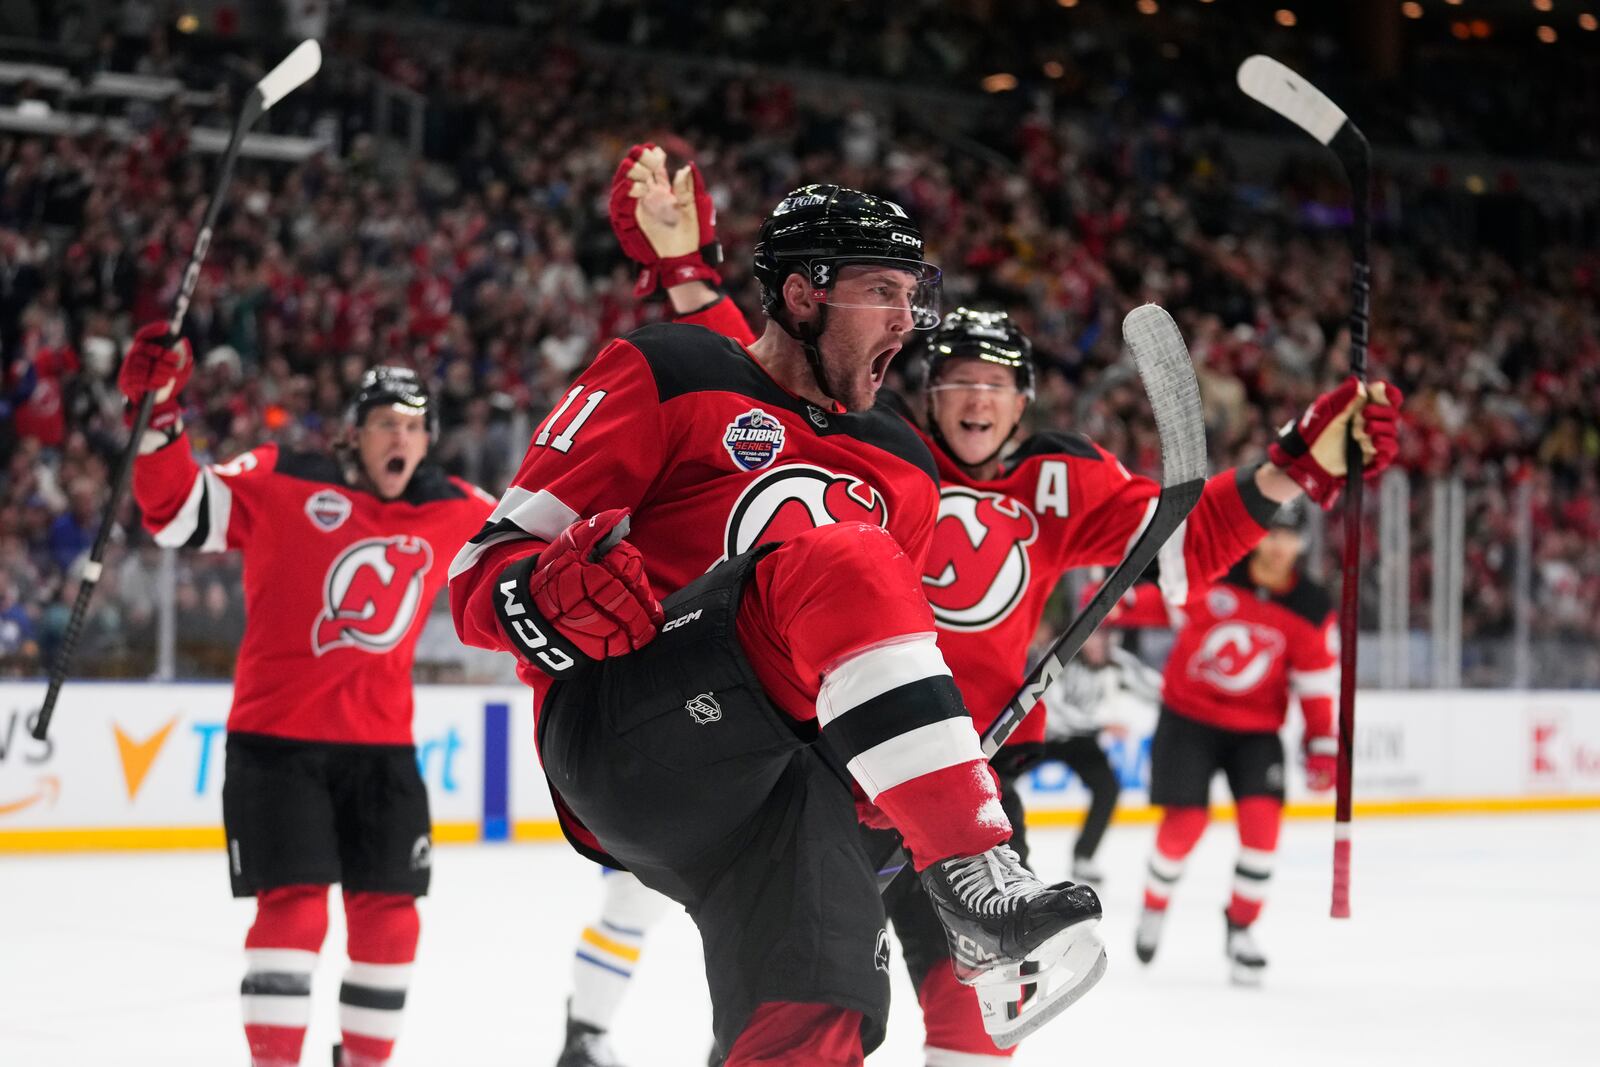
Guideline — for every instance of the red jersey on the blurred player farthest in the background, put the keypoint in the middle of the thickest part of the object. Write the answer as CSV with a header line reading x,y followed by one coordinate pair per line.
x,y
1244,650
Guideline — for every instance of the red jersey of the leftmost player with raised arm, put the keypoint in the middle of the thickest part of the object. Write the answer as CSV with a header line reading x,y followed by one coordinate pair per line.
x,y
338,583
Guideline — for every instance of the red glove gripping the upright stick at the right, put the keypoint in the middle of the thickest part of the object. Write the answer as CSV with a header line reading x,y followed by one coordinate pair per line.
x,y
1311,450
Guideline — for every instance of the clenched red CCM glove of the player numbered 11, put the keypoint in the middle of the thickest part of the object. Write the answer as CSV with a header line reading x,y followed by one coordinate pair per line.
x,y
591,586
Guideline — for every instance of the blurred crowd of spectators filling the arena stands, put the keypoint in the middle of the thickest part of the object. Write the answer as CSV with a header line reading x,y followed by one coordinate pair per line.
x,y
490,268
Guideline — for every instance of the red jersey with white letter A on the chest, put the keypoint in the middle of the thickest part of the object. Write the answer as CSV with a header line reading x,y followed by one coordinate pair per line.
x,y
1062,502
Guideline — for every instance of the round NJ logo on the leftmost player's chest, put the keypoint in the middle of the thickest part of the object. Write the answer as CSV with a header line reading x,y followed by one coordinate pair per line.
x,y
372,594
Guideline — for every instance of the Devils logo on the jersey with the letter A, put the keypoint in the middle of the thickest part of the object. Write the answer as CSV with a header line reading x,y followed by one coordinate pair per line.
x,y
978,564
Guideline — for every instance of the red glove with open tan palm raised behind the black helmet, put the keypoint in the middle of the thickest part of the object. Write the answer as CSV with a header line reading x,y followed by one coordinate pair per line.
x,y
668,228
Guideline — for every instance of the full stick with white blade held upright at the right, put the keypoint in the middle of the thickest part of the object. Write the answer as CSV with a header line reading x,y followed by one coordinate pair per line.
x,y
1306,106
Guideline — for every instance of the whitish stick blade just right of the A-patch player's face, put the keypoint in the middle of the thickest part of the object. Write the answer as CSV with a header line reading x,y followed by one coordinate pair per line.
x,y
1169,378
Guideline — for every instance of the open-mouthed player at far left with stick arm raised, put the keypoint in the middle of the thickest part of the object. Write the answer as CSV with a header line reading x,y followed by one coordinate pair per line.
x,y
342,564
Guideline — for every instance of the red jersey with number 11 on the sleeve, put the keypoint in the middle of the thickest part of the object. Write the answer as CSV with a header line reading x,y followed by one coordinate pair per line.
x,y
682,426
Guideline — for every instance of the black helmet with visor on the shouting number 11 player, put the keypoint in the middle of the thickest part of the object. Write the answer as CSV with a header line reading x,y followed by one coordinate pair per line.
x,y
818,230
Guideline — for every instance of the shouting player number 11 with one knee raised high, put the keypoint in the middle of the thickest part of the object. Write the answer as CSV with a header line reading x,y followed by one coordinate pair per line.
x,y
706,743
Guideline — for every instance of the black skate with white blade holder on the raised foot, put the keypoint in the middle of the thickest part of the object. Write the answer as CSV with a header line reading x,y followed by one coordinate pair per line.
x,y
1007,932
